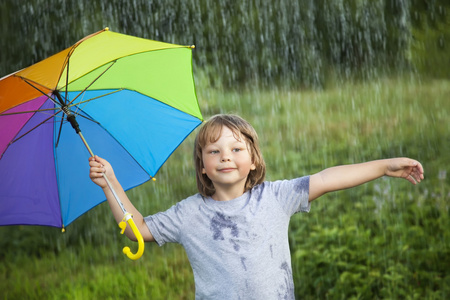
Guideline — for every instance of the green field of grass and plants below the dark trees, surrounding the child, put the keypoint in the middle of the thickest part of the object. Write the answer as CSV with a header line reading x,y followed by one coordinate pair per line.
x,y
384,240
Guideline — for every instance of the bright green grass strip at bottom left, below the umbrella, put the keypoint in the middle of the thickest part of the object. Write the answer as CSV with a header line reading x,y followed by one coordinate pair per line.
x,y
96,273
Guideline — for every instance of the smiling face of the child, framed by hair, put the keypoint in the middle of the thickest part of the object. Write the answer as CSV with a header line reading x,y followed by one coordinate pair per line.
x,y
227,162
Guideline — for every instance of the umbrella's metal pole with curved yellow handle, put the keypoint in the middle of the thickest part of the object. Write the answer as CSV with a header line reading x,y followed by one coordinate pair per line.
x,y
127,217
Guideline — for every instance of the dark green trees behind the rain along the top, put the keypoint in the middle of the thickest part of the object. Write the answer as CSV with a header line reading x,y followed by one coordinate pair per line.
x,y
295,43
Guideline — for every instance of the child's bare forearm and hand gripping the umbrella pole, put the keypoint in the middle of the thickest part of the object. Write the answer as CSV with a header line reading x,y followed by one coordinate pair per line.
x,y
98,166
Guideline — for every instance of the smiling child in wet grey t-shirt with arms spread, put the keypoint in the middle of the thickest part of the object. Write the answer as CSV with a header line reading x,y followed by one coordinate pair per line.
x,y
235,230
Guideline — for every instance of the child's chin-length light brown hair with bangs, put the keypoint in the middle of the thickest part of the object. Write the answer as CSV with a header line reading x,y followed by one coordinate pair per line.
x,y
210,133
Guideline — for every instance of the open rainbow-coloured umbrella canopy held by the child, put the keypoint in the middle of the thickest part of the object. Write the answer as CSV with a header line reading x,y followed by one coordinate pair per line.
x,y
133,99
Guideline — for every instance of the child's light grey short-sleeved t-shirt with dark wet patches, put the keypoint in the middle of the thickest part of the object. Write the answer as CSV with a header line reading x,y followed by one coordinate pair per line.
x,y
238,249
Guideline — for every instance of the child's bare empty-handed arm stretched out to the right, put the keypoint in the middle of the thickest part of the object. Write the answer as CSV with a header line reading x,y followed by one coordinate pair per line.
x,y
347,176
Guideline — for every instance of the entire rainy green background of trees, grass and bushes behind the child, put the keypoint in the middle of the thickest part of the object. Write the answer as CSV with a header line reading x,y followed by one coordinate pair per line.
x,y
324,83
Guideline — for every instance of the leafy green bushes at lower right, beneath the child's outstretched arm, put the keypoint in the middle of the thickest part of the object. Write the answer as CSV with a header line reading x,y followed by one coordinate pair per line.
x,y
375,247
